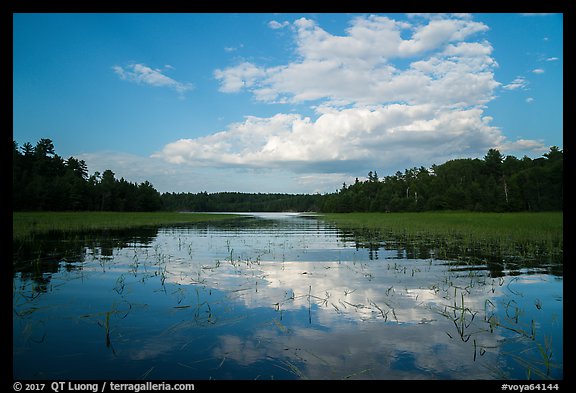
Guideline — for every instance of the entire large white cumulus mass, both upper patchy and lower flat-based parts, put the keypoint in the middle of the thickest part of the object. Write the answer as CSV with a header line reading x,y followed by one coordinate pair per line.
x,y
387,93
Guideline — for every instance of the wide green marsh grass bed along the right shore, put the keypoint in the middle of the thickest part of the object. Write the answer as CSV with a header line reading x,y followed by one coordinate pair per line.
x,y
464,235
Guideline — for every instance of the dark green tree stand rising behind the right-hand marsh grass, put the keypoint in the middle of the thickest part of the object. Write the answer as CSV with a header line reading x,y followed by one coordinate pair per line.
x,y
494,184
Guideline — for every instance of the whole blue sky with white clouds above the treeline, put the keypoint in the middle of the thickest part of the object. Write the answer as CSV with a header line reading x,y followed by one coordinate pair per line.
x,y
289,103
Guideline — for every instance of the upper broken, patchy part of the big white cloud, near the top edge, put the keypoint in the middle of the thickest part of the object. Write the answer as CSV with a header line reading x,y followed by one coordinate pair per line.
x,y
358,68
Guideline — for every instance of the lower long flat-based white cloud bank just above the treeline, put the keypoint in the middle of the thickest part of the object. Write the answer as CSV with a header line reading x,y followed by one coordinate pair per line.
x,y
386,136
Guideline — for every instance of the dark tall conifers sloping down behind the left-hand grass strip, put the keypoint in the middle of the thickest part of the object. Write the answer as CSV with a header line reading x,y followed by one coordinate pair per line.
x,y
42,180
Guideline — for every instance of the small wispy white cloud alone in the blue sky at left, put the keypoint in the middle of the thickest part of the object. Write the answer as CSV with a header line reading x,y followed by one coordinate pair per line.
x,y
142,74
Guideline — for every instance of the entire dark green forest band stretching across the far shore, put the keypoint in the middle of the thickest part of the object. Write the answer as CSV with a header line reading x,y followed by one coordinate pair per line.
x,y
42,180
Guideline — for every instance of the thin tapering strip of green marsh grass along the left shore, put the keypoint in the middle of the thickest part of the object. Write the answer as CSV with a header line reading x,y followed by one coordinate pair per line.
x,y
26,224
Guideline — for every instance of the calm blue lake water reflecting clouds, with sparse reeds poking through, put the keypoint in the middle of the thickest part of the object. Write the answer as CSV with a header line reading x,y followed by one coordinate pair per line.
x,y
277,296
